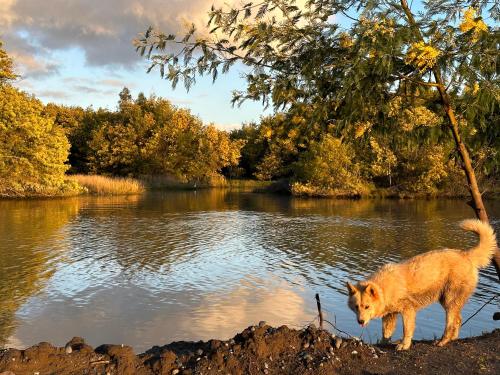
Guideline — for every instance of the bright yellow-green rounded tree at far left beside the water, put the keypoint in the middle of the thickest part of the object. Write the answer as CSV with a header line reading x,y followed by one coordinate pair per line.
x,y
33,151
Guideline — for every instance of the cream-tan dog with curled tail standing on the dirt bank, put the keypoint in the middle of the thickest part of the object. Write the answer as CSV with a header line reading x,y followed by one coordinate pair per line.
x,y
446,276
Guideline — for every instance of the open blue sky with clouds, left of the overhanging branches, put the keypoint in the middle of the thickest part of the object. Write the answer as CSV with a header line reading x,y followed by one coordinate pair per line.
x,y
80,52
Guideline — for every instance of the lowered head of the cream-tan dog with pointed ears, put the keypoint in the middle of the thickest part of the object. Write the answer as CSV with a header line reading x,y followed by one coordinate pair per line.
x,y
364,300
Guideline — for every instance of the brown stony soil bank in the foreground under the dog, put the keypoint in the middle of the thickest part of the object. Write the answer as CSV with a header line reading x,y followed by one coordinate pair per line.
x,y
260,349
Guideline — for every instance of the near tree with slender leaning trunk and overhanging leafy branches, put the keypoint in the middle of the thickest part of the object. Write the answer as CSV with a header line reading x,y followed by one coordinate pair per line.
x,y
385,50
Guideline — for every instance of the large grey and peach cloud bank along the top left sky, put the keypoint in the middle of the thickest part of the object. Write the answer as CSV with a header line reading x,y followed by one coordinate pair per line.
x,y
104,30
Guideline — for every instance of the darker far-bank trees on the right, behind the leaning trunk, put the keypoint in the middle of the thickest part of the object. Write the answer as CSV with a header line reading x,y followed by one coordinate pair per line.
x,y
407,152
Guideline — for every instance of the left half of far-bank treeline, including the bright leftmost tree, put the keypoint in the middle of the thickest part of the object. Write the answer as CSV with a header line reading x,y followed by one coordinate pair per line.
x,y
41,144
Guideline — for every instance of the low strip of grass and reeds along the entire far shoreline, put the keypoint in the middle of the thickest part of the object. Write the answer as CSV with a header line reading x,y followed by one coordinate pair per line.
x,y
79,184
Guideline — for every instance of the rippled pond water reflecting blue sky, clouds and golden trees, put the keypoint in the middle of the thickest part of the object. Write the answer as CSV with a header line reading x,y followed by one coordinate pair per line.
x,y
152,269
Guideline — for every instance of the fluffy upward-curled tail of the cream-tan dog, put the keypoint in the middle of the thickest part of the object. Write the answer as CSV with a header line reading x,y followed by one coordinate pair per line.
x,y
481,255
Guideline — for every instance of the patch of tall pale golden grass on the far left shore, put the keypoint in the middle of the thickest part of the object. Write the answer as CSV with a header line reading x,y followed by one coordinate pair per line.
x,y
102,185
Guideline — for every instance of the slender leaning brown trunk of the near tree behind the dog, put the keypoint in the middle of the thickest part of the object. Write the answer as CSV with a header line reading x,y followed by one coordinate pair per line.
x,y
477,200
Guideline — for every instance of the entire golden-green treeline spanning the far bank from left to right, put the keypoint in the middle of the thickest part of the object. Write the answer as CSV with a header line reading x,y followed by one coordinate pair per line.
x,y
402,148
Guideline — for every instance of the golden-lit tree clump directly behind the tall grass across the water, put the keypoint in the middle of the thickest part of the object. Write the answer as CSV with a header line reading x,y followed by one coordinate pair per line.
x,y
144,136
